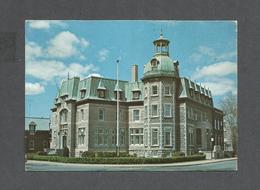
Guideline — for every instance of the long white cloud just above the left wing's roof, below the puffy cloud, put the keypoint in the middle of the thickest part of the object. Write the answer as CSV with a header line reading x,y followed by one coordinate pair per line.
x,y
48,70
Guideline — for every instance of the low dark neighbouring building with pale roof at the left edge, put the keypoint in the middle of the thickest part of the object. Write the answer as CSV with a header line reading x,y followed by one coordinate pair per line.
x,y
37,134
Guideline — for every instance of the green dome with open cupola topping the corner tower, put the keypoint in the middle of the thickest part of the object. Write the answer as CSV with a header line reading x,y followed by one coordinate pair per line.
x,y
161,64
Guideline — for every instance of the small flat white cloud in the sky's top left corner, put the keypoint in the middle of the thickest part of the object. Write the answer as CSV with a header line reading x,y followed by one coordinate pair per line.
x,y
44,24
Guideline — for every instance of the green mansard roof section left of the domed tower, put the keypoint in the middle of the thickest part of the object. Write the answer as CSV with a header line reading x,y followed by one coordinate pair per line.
x,y
72,88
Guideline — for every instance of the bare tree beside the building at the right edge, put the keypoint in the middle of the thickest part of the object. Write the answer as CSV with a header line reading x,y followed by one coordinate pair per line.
x,y
229,107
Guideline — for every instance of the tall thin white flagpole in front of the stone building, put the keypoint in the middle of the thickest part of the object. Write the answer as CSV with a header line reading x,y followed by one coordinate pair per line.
x,y
117,111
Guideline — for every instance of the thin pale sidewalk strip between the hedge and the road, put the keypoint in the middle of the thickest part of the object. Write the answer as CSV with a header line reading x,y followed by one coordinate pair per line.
x,y
200,162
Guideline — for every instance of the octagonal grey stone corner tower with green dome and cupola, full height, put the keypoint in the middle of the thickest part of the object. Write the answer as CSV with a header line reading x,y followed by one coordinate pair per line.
x,y
160,80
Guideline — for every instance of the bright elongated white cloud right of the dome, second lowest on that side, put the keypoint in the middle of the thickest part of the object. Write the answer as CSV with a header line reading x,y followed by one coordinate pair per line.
x,y
219,69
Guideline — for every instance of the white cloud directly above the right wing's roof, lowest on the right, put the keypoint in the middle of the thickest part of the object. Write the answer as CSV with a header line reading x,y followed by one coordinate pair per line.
x,y
221,86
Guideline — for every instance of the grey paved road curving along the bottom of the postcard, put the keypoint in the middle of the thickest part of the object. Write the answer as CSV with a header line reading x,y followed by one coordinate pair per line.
x,y
227,165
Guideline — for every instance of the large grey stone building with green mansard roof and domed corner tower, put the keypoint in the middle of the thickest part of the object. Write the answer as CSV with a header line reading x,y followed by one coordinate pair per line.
x,y
160,114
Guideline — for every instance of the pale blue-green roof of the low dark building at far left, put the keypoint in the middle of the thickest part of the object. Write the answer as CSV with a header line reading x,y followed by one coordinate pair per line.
x,y
40,122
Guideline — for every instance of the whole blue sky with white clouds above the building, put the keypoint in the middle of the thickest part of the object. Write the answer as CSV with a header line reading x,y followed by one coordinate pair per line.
x,y
206,51
